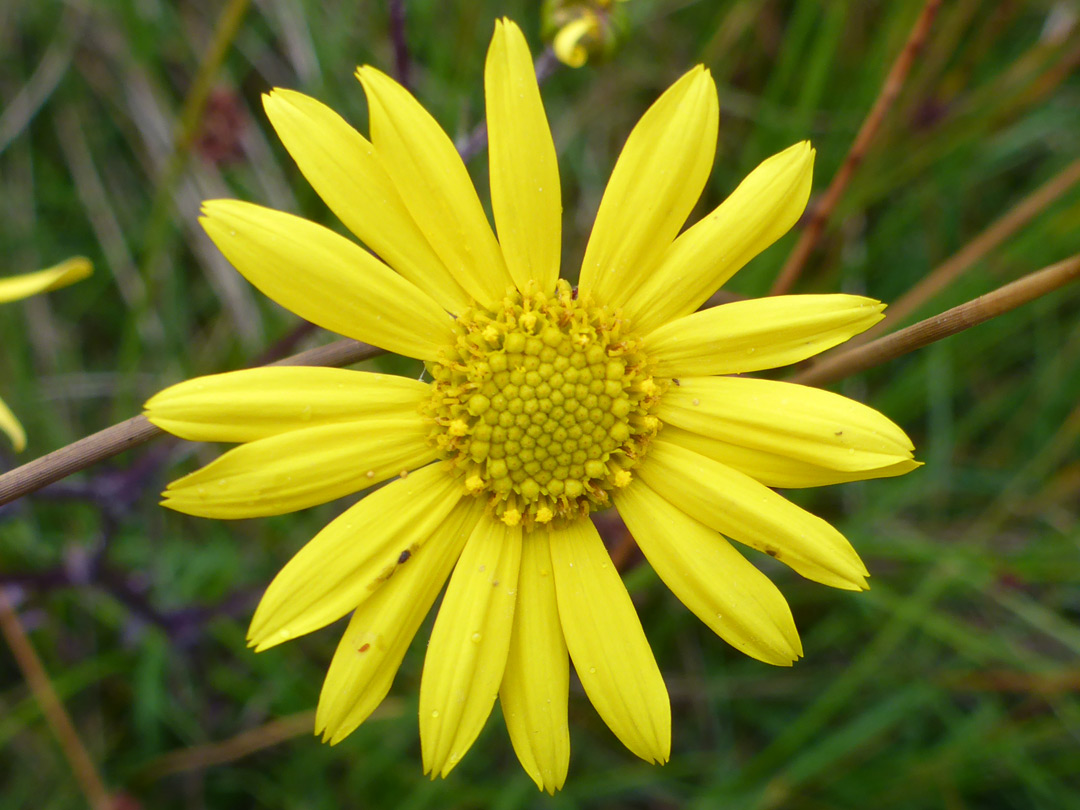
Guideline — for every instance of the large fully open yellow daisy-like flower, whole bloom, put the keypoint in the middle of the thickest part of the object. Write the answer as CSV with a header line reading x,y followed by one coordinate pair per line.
x,y
545,406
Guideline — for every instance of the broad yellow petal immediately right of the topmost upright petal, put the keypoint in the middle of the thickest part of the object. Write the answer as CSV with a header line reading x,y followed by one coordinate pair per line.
x,y
655,185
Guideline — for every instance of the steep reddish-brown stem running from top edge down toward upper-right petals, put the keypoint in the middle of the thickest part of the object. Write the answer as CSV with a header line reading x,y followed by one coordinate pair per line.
x,y
890,90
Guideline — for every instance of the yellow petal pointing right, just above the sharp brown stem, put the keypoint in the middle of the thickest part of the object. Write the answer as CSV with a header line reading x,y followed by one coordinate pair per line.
x,y
764,333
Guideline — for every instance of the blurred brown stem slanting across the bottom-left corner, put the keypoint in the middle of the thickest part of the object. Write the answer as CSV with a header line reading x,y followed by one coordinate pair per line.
x,y
90,781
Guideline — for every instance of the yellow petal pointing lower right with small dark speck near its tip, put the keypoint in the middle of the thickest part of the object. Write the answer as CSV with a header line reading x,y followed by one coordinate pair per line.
x,y
737,506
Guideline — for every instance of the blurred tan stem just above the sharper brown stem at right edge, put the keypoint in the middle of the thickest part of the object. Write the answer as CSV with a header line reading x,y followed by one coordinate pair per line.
x,y
978,249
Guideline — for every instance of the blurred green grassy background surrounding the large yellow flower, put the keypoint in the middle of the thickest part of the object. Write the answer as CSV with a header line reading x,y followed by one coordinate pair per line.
x,y
954,683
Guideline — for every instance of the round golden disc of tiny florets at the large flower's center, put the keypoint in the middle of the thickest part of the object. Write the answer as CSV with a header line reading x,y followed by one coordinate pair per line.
x,y
543,404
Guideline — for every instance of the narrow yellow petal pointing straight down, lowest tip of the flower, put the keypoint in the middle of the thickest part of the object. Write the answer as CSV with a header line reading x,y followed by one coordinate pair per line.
x,y
537,681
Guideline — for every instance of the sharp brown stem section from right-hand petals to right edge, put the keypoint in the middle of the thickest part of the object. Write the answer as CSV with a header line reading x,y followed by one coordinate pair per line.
x,y
958,319
